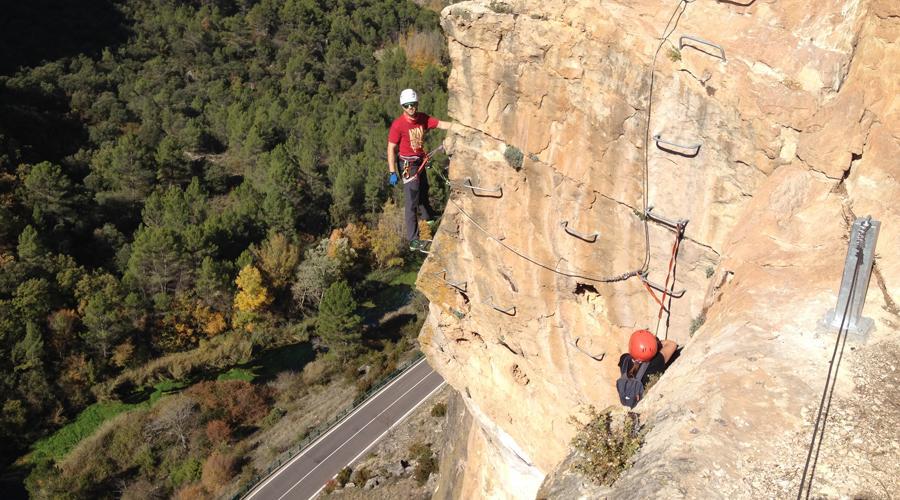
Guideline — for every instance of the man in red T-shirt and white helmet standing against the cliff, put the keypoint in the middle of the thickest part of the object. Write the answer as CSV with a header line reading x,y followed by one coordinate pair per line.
x,y
407,137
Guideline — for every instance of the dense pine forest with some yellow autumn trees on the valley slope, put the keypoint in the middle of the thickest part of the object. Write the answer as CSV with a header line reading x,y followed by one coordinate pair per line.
x,y
195,181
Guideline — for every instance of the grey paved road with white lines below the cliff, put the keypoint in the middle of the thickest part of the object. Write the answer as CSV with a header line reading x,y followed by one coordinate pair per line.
x,y
306,474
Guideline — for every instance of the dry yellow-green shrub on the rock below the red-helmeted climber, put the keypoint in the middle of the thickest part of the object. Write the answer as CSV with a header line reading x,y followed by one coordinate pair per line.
x,y
606,445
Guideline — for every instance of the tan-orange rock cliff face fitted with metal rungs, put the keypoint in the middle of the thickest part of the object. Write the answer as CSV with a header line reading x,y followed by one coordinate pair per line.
x,y
797,119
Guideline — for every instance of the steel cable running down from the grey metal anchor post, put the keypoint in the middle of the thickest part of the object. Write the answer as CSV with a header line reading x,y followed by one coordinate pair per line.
x,y
833,365
